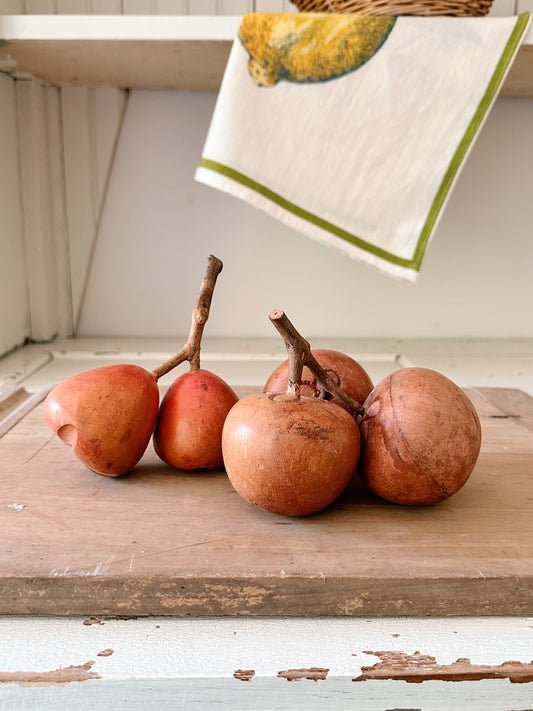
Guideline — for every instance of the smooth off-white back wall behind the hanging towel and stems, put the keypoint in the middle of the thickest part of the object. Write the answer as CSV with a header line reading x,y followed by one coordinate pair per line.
x,y
158,226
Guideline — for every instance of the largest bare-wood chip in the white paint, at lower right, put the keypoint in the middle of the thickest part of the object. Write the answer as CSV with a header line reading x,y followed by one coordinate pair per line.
x,y
417,667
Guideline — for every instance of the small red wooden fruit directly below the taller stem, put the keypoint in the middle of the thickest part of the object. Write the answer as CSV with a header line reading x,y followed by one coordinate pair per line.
x,y
188,433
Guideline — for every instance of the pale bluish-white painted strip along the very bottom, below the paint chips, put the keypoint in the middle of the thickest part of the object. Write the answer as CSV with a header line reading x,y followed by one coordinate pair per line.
x,y
211,694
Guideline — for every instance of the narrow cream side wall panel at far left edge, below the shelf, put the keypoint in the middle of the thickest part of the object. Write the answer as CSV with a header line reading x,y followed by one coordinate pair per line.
x,y
14,302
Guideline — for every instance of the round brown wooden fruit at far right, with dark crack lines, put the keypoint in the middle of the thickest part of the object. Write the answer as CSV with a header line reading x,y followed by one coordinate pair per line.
x,y
420,437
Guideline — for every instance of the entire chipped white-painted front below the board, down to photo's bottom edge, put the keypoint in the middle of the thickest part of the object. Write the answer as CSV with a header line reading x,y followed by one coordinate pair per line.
x,y
178,663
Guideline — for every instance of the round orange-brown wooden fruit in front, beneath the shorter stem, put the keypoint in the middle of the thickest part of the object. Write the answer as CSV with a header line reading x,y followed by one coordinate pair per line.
x,y
289,454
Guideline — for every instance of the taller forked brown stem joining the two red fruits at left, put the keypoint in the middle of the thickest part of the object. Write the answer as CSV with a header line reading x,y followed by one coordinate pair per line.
x,y
200,314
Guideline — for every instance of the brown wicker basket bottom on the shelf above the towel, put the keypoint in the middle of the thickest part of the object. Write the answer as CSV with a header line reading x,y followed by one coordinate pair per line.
x,y
464,8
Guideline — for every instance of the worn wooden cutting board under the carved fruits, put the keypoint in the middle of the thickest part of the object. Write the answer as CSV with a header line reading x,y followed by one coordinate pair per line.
x,y
161,542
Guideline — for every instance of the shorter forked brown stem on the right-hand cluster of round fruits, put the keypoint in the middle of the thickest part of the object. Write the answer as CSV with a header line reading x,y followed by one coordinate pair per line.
x,y
299,352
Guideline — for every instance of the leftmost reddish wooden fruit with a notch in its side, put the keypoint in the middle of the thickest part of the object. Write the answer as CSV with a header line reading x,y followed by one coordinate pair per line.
x,y
107,415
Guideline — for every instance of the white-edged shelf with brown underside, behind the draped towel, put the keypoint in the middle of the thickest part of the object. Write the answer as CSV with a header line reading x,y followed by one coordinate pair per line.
x,y
153,52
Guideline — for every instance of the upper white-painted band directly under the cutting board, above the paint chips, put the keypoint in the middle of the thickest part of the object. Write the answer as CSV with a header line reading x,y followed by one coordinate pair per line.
x,y
217,647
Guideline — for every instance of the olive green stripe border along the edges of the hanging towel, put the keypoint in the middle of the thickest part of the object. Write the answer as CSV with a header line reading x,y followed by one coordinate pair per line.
x,y
462,149
